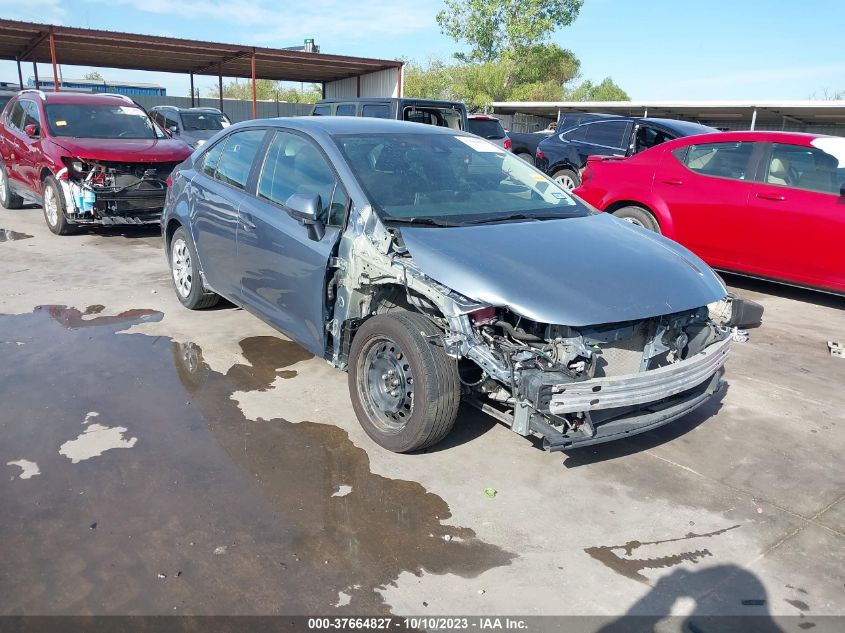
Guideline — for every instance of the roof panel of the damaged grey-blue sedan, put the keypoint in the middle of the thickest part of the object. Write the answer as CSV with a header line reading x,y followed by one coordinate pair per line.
x,y
350,125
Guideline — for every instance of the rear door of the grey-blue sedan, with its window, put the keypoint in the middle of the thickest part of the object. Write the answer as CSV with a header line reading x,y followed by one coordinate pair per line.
x,y
217,192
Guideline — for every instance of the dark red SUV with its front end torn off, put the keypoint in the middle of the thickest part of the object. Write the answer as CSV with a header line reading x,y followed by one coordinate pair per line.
x,y
86,158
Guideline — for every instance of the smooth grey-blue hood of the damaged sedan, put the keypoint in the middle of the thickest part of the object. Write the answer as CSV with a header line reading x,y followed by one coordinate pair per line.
x,y
579,271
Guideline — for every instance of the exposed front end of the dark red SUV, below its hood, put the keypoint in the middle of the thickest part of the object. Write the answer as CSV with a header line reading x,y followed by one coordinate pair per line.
x,y
104,192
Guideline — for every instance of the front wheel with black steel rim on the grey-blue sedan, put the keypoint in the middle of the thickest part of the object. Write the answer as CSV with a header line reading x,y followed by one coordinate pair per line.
x,y
424,412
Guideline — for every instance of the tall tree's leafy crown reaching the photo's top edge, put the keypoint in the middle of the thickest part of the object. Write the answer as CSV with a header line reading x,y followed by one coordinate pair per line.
x,y
497,29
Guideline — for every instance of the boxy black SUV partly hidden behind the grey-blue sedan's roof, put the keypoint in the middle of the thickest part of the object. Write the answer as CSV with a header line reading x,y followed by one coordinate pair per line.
x,y
451,114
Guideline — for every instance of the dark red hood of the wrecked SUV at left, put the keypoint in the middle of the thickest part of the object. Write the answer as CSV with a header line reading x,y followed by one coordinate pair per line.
x,y
125,150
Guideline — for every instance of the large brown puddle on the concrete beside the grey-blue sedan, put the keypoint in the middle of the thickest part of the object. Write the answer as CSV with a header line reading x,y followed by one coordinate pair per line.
x,y
200,510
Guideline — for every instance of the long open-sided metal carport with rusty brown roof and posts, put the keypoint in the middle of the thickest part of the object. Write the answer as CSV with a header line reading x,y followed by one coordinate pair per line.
x,y
51,44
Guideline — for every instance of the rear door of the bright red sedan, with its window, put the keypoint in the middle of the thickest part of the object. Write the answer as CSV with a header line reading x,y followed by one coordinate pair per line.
x,y
706,189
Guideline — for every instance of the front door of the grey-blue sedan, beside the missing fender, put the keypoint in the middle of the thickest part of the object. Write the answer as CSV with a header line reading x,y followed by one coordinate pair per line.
x,y
282,272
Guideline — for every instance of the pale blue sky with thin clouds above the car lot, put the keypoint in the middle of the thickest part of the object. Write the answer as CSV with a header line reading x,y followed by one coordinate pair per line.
x,y
654,49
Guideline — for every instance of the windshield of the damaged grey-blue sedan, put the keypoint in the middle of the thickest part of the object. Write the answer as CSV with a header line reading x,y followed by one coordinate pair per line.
x,y
447,179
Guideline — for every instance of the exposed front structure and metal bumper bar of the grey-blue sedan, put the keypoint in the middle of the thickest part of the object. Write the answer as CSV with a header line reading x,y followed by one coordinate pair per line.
x,y
569,385
